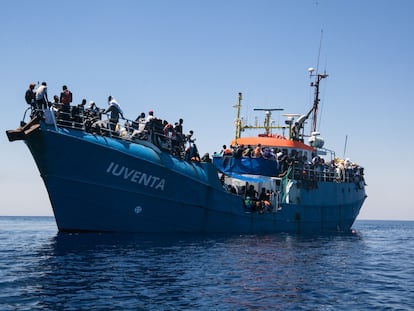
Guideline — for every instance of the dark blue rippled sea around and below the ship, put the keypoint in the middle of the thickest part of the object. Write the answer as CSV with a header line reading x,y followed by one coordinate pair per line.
x,y
369,269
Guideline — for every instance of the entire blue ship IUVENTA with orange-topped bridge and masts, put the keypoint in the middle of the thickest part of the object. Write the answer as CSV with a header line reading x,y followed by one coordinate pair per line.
x,y
109,179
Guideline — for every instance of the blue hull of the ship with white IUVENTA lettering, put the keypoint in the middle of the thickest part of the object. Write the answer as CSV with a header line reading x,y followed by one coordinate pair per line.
x,y
98,183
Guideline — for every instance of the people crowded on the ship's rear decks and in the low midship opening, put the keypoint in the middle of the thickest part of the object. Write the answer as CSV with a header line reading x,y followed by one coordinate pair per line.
x,y
306,173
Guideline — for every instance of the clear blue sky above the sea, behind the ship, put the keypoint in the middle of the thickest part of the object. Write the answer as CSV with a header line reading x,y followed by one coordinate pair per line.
x,y
189,59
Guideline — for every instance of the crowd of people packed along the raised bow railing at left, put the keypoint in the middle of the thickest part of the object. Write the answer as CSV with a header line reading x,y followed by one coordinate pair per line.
x,y
90,118
